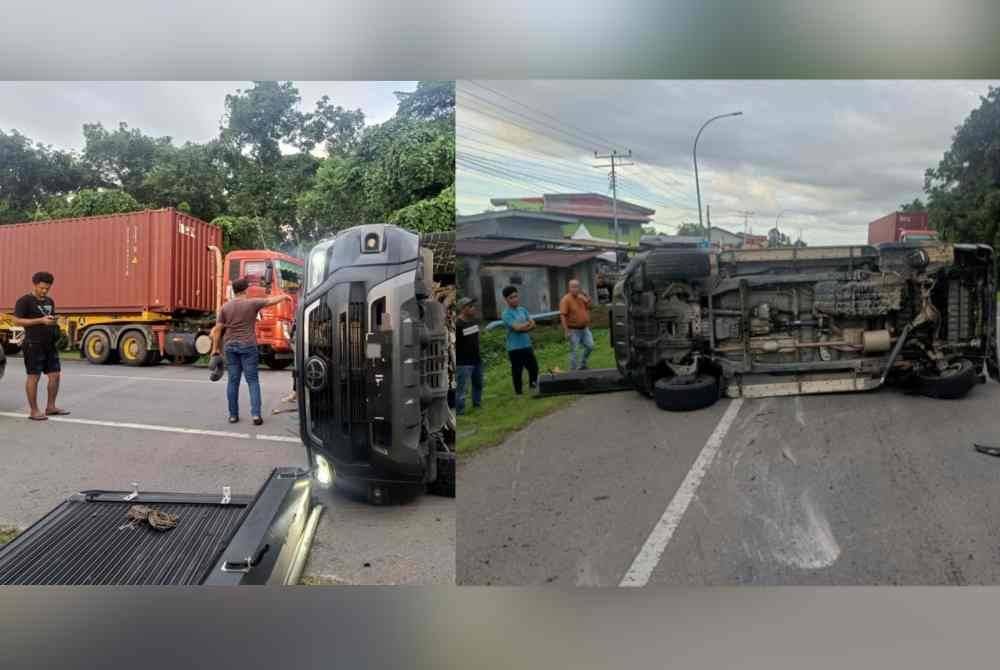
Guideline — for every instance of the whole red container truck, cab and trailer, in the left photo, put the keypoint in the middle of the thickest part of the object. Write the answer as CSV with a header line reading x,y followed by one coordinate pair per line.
x,y
143,286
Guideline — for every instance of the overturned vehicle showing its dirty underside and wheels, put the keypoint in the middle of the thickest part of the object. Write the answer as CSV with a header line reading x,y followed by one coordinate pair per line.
x,y
690,325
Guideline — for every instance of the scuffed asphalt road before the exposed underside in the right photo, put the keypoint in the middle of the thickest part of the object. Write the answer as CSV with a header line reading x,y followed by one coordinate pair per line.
x,y
876,488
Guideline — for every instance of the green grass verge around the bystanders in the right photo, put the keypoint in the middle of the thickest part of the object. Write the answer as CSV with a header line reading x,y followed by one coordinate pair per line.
x,y
503,411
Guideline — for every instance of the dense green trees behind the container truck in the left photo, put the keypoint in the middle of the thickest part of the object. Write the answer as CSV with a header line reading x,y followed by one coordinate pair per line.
x,y
275,175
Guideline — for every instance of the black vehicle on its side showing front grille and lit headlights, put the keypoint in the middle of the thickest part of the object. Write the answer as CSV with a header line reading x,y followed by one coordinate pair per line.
x,y
372,352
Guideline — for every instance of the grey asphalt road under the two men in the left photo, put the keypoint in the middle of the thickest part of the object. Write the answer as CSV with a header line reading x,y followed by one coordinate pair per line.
x,y
44,463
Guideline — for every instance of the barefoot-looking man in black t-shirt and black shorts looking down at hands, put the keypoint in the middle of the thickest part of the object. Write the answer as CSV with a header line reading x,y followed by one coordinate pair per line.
x,y
36,313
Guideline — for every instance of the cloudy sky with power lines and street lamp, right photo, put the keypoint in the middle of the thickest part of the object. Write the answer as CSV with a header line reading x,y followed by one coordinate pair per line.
x,y
827,156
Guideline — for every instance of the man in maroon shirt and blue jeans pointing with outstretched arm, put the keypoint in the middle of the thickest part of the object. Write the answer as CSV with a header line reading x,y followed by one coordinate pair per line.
x,y
235,332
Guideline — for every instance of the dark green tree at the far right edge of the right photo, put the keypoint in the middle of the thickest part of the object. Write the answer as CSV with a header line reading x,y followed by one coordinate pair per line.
x,y
963,191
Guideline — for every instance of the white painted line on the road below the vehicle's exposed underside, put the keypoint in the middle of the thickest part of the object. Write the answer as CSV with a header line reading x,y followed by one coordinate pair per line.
x,y
649,556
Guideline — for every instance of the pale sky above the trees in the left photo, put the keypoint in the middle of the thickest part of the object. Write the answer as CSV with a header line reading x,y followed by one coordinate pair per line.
x,y
54,112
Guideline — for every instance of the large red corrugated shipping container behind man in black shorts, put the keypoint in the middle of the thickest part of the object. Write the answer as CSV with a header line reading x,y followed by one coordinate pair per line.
x,y
154,260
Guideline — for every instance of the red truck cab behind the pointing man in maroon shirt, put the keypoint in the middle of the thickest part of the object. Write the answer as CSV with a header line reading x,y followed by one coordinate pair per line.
x,y
270,273
